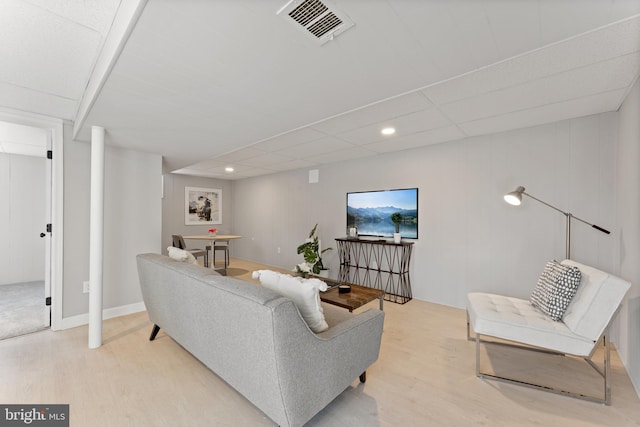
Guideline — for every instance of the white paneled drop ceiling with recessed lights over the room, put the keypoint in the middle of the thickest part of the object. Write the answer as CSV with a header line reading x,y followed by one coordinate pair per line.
x,y
212,84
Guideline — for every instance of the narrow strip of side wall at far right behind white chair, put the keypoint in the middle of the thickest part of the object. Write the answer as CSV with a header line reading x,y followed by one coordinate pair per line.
x,y
628,212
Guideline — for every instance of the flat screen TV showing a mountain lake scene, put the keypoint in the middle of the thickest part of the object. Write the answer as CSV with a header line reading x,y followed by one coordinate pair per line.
x,y
371,212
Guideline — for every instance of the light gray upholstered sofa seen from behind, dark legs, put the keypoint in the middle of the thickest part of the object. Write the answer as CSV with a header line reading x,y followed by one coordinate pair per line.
x,y
256,340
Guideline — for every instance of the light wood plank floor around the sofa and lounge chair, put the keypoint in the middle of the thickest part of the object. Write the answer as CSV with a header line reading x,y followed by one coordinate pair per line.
x,y
425,376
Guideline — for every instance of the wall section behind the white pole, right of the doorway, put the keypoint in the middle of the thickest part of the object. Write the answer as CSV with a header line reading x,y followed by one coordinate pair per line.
x,y
133,223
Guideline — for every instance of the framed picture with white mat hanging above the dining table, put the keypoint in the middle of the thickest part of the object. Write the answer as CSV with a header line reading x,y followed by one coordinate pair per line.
x,y
202,206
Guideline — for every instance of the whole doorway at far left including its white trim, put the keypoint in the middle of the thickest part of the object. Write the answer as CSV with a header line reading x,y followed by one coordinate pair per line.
x,y
30,254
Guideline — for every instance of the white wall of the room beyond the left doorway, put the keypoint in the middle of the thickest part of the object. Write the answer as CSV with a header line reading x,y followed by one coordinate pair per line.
x,y
22,218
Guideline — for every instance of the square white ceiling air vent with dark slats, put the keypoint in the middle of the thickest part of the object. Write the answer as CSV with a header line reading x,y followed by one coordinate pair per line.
x,y
316,18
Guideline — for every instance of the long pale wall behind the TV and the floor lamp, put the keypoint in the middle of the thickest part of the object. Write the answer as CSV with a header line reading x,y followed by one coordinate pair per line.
x,y
469,238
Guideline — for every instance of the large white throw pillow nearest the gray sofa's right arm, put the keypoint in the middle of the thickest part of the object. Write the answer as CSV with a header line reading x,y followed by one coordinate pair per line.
x,y
303,292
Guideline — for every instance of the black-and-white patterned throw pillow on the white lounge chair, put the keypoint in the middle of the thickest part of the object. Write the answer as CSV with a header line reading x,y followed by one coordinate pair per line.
x,y
556,287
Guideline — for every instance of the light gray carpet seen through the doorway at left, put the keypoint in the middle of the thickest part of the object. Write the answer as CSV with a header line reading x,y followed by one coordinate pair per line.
x,y
22,309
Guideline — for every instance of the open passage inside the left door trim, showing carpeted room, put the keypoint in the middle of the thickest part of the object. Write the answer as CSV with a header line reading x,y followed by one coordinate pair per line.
x,y
24,189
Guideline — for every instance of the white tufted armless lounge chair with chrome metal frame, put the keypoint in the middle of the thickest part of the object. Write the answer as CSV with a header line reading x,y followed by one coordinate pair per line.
x,y
584,323
